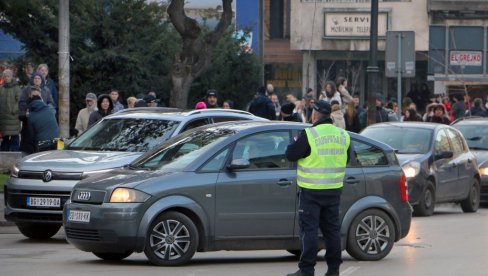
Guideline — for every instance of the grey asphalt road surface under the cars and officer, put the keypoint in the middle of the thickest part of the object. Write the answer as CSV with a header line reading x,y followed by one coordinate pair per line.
x,y
448,243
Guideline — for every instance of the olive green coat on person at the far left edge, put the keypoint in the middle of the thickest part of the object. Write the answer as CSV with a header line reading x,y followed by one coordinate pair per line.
x,y
9,109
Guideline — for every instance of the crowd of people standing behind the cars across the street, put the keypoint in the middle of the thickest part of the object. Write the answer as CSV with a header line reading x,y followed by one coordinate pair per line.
x,y
28,111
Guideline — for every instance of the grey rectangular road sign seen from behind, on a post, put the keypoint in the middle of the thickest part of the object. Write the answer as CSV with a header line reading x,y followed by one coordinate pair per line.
x,y
400,54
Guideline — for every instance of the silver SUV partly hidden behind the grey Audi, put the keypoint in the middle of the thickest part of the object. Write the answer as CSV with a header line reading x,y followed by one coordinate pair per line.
x,y
41,183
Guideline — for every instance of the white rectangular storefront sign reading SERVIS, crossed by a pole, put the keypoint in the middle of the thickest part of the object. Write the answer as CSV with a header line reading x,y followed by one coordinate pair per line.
x,y
352,24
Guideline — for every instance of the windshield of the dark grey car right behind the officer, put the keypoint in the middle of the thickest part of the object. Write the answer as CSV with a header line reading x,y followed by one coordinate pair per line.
x,y
404,140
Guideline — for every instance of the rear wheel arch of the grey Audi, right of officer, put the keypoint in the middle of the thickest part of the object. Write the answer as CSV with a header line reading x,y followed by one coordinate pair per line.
x,y
369,202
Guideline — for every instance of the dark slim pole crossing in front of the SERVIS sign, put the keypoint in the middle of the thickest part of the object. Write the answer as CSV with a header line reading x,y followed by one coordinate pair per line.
x,y
372,69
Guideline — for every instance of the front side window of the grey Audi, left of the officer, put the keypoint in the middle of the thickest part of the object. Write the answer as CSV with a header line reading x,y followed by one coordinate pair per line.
x,y
264,150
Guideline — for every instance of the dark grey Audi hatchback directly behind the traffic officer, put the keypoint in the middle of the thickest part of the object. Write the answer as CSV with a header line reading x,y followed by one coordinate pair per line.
x,y
229,187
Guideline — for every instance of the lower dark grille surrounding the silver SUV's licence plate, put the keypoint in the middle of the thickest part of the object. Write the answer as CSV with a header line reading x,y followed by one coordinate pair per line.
x,y
18,198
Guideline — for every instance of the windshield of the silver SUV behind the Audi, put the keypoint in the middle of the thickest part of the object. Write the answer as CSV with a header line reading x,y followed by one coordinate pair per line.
x,y
133,135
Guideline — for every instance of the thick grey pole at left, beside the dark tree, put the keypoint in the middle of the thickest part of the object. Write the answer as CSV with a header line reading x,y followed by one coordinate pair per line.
x,y
63,68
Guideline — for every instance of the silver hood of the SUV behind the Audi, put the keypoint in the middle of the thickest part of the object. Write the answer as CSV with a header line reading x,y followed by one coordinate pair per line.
x,y
76,161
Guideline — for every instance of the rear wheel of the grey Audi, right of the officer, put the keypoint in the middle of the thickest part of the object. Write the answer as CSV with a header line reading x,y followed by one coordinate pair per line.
x,y
371,235
